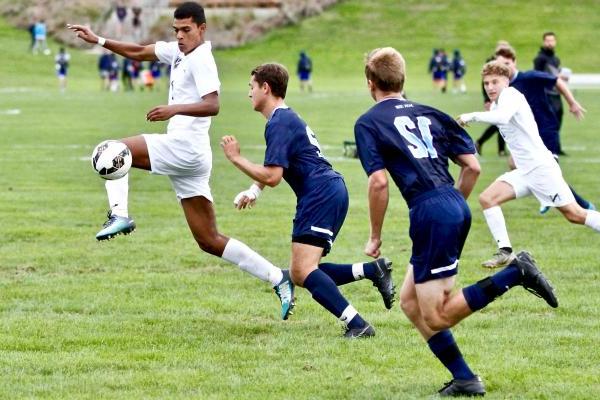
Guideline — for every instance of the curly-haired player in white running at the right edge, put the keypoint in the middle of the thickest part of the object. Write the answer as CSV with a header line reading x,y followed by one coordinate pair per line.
x,y
537,172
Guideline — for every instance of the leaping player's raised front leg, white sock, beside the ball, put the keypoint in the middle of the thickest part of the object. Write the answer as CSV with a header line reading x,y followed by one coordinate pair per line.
x,y
117,190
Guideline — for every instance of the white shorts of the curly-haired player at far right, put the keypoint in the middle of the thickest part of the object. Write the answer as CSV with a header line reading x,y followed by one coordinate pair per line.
x,y
544,182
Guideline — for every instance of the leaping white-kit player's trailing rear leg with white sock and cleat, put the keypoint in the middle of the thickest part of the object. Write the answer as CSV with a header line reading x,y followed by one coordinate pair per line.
x,y
201,219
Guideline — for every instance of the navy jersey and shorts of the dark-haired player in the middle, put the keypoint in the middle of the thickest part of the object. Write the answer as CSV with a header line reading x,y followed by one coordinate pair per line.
x,y
322,197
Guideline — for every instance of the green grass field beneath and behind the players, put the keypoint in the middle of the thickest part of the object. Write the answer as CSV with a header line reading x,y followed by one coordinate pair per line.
x,y
150,316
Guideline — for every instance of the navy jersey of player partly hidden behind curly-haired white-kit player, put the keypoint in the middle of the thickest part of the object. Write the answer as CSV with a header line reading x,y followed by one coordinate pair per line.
x,y
534,86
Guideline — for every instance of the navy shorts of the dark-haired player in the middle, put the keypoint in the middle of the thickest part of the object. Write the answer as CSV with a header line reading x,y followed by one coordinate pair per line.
x,y
320,215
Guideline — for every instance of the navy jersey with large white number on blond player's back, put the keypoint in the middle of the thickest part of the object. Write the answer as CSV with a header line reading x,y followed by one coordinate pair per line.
x,y
413,142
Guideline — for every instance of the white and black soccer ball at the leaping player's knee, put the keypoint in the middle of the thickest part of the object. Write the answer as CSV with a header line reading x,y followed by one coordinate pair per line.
x,y
111,159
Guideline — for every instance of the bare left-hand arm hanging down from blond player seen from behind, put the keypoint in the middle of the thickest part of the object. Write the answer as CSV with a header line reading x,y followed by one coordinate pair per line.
x,y
378,201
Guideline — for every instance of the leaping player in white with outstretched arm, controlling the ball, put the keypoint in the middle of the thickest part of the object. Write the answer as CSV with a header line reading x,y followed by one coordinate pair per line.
x,y
184,153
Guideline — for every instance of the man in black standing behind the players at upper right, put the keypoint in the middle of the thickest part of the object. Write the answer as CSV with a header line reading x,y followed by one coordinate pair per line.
x,y
547,61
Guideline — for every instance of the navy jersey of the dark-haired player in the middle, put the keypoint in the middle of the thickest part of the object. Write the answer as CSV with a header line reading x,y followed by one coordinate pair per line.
x,y
291,144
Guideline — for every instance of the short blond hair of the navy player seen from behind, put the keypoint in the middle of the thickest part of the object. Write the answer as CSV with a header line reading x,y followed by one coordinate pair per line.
x,y
385,67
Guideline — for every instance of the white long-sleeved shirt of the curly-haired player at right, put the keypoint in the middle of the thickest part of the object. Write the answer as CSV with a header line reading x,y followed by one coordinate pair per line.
x,y
513,117
